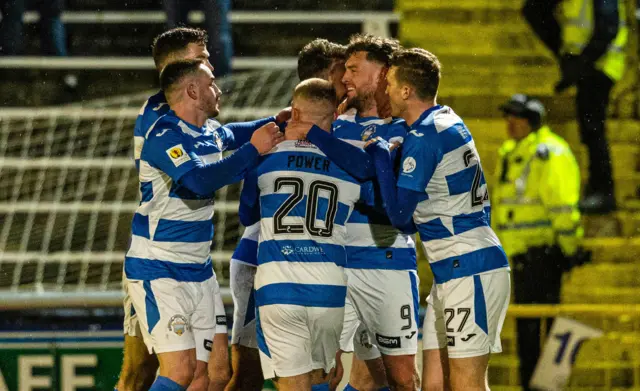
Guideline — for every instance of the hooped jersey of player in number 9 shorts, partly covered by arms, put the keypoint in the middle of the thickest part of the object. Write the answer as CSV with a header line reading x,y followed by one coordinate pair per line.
x,y
372,242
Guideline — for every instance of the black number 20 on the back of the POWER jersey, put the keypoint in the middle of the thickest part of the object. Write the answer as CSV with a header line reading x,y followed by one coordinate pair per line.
x,y
297,184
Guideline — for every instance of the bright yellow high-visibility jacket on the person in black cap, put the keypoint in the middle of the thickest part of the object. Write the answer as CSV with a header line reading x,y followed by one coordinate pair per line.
x,y
535,197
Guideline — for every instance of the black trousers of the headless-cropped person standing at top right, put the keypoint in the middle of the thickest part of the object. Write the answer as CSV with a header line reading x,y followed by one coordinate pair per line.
x,y
592,100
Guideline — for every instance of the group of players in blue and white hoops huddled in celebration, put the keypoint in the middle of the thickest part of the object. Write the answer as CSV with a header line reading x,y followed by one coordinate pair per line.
x,y
335,188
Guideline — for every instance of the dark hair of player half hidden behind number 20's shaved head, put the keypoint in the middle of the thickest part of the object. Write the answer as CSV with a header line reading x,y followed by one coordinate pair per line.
x,y
317,56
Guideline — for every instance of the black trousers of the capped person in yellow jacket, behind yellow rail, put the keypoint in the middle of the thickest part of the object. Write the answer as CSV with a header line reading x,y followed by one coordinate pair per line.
x,y
537,277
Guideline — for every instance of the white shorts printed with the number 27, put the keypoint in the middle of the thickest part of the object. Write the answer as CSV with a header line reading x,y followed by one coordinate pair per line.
x,y
465,315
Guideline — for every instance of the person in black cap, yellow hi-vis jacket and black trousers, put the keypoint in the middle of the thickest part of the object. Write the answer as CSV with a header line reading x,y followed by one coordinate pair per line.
x,y
535,214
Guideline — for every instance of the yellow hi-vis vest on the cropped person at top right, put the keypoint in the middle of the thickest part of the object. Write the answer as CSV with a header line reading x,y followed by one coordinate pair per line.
x,y
577,29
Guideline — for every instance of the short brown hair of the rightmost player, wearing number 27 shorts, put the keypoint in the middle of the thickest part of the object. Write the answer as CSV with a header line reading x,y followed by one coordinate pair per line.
x,y
418,68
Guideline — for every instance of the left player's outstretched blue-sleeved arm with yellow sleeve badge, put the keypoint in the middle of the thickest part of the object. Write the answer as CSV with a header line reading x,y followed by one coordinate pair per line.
x,y
184,167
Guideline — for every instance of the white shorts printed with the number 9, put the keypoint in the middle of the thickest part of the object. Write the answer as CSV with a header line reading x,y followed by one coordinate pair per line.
x,y
387,303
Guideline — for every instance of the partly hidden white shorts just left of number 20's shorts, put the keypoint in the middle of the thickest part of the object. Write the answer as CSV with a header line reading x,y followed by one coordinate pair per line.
x,y
244,305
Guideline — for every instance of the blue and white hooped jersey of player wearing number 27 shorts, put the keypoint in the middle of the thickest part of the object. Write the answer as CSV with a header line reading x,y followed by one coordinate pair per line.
x,y
440,160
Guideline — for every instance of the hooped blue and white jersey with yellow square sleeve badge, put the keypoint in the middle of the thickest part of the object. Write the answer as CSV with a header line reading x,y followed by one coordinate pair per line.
x,y
172,227
